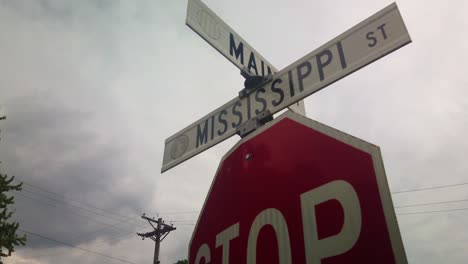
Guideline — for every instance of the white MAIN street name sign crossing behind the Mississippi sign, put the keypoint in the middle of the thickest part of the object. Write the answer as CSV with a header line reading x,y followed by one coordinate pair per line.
x,y
224,39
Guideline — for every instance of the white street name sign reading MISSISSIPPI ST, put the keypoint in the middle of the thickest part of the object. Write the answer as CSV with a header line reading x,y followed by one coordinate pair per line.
x,y
361,45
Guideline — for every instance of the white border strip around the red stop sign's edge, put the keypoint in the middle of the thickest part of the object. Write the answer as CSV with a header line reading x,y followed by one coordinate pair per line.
x,y
373,150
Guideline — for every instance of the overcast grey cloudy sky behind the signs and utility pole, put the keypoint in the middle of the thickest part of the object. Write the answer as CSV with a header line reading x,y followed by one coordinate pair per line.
x,y
91,90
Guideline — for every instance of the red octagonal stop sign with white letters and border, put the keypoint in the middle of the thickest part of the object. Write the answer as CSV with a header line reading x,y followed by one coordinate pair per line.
x,y
298,191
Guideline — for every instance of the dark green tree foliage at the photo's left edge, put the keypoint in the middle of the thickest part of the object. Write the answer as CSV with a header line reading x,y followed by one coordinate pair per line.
x,y
8,237
